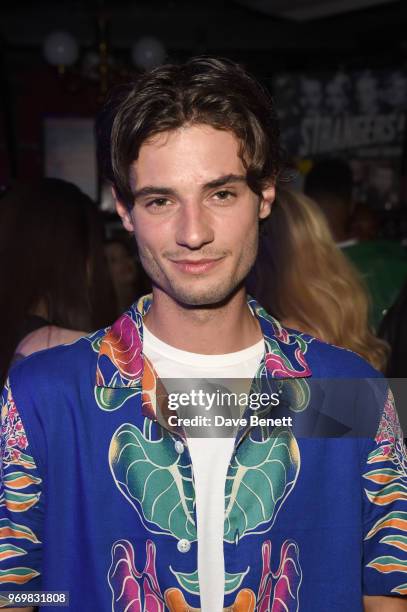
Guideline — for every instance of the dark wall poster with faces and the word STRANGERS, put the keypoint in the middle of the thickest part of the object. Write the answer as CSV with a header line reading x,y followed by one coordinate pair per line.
x,y
359,116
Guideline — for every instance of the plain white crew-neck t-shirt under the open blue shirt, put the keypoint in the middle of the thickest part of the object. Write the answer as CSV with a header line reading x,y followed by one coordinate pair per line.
x,y
210,456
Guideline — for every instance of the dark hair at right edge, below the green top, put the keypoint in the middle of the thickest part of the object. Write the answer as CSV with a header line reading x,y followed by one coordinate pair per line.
x,y
393,329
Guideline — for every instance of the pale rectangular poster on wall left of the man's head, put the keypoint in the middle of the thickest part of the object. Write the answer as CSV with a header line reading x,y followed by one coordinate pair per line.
x,y
70,151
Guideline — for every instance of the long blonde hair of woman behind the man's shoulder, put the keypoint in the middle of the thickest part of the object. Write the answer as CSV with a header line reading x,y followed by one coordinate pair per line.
x,y
304,280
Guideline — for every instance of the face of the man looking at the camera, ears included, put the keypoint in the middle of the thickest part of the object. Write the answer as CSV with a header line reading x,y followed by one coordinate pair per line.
x,y
194,217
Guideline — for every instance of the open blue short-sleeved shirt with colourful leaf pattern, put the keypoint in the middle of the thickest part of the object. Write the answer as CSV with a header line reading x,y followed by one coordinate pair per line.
x,y
98,494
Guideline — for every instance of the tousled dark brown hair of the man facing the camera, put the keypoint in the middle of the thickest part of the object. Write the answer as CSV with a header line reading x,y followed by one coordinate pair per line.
x,y
203,90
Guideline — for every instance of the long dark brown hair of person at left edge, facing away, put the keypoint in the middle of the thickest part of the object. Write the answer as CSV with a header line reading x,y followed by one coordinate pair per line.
x,y
51,253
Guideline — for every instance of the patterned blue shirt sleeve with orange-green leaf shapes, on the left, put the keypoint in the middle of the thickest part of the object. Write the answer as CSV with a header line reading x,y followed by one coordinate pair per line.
x,y
21,508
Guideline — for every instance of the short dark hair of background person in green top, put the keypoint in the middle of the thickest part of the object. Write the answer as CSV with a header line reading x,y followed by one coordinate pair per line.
x,y
329,178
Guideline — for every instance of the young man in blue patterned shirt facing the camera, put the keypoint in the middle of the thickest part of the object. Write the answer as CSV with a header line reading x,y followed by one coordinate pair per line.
x,y
103,496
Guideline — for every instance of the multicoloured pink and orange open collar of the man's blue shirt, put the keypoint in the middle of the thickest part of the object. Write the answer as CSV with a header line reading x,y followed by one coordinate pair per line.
x,y
121,364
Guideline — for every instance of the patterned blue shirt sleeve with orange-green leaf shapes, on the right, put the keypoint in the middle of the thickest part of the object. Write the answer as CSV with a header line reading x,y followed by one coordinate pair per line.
x,y
385,509
